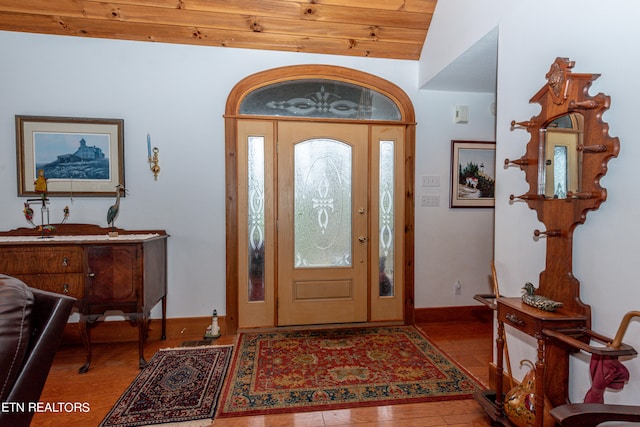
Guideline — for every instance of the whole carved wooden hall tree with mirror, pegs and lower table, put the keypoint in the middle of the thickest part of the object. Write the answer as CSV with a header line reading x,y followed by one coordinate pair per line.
x,y
565,159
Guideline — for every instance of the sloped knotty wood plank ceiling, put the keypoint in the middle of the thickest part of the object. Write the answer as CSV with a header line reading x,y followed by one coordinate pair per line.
x,y
373,28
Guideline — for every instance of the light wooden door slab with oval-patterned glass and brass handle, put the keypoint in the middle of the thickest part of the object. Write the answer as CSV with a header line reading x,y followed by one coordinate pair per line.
x,y
322,223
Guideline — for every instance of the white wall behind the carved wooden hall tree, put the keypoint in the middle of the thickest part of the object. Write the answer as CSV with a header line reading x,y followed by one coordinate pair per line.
x,y
598,37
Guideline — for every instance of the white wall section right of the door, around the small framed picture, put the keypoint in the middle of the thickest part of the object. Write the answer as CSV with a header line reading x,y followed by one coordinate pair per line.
x,y
451,244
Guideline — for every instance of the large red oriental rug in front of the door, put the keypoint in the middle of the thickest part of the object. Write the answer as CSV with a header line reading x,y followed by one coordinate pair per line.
x,y
313,370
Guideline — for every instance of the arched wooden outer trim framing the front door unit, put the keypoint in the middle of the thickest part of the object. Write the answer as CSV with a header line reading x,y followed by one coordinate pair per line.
x,y
301,72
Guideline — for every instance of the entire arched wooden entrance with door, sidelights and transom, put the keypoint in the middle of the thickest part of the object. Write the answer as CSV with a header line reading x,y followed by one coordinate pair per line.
x,y
319,199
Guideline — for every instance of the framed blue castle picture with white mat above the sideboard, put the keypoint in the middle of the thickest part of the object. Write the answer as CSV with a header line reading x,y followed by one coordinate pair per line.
x,y
67,156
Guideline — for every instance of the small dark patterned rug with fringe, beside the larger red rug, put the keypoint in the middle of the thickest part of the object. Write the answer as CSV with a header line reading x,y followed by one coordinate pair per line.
x,y
179,386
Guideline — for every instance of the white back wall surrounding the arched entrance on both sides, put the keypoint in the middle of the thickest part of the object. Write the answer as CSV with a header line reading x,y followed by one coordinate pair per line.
x,y
177,94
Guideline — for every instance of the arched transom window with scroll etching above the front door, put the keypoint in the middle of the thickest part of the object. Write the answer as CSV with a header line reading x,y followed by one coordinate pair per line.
x,y
320,98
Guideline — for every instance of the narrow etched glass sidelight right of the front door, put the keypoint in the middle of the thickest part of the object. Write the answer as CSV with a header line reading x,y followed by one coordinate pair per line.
x,y
386,213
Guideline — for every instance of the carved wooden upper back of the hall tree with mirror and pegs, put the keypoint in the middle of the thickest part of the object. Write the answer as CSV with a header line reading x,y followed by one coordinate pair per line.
x,y
562,203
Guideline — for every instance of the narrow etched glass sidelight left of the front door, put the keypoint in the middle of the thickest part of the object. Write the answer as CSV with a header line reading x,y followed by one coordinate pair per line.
x,y
255,224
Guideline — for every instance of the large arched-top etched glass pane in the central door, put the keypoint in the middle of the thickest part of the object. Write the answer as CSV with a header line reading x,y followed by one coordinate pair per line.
x,y
323,170
